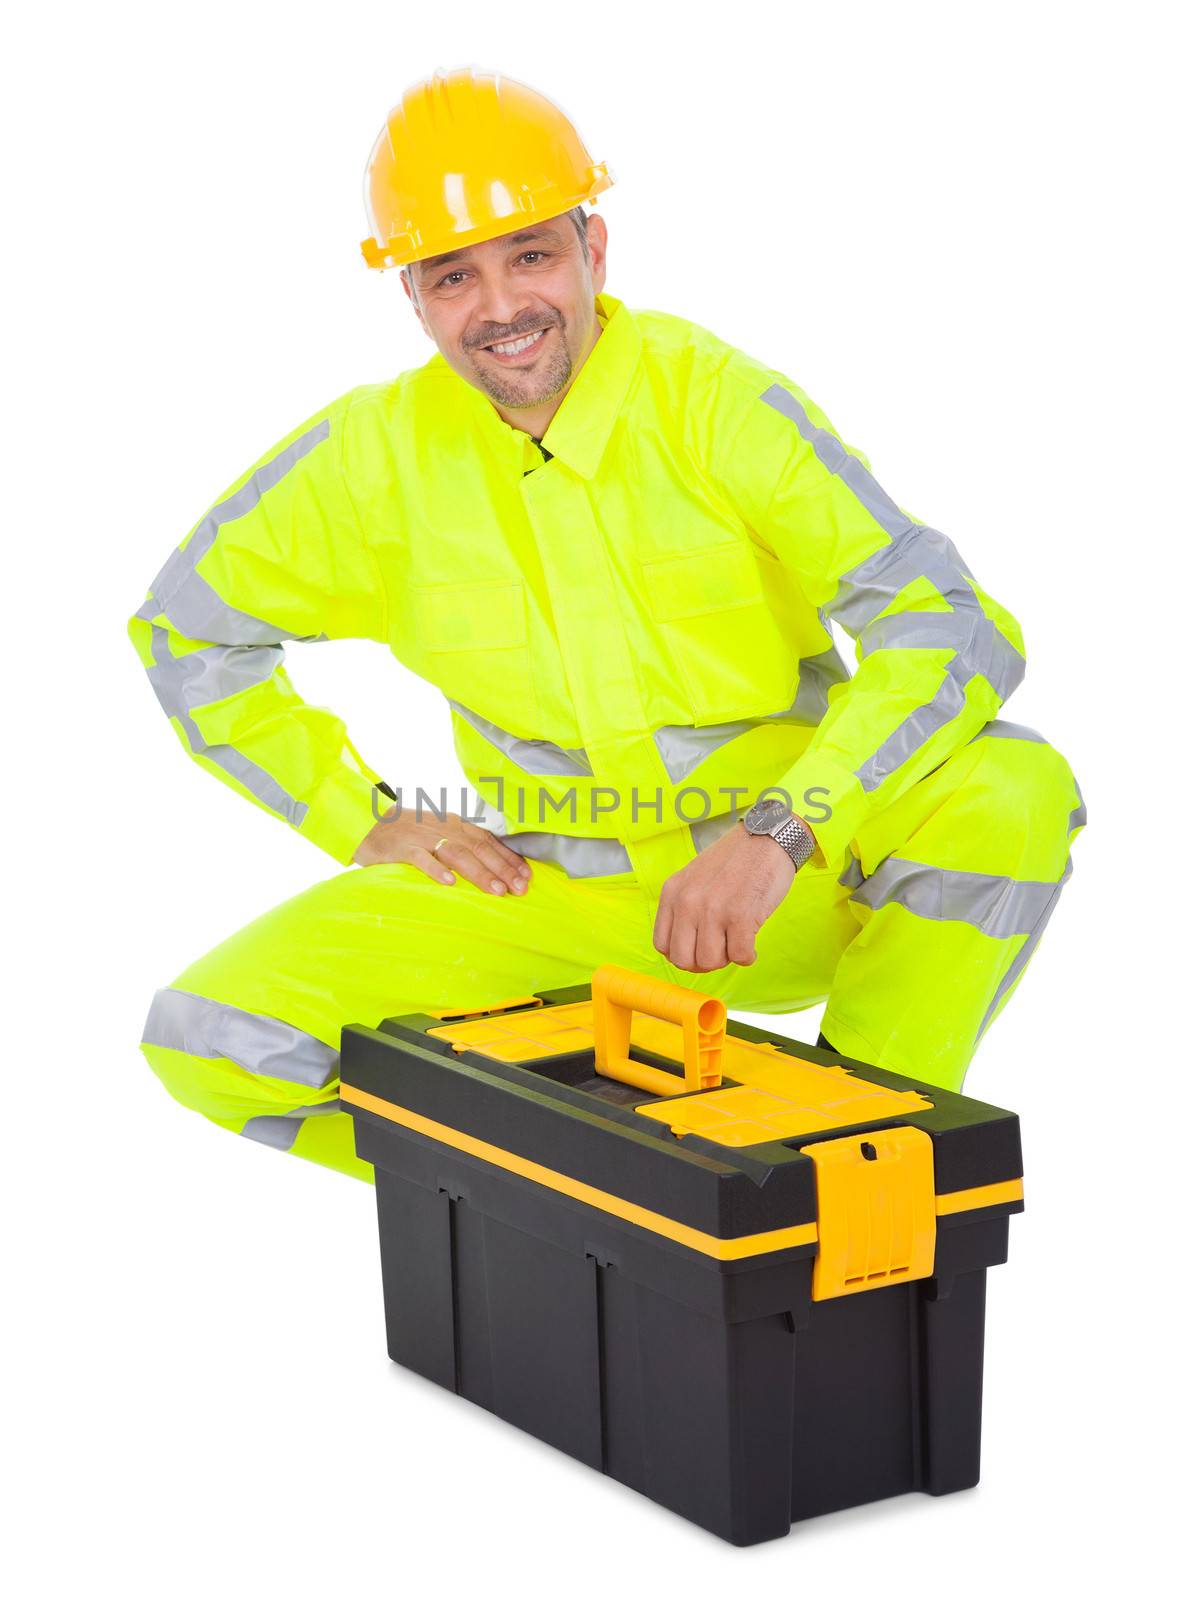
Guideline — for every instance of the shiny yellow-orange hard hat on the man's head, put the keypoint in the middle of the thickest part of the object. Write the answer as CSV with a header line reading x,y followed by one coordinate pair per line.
x,y
468,156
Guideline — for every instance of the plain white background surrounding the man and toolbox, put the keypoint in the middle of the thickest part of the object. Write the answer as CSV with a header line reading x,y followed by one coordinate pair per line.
x,y
961,230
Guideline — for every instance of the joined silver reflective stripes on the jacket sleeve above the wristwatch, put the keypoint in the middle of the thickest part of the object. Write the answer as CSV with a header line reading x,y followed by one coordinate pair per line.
x,y
869,588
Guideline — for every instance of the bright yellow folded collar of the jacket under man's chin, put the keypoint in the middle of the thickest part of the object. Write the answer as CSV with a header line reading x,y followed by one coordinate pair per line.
x,y
580,431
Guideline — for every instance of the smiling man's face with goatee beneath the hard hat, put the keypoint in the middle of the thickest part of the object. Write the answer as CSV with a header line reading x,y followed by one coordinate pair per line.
x,y
535,282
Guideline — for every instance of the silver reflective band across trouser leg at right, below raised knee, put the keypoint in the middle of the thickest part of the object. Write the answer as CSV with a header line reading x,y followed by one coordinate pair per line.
x,y
996,906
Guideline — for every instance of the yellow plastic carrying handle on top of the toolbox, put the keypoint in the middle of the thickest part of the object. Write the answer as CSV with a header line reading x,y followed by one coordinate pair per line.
x,y
617,993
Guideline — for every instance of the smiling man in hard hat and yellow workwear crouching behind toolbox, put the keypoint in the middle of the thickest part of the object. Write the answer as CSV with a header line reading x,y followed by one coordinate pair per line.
x,y
617,545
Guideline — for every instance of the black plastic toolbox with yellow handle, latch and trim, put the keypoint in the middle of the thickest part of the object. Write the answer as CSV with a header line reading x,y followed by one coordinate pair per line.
x,y
738,1273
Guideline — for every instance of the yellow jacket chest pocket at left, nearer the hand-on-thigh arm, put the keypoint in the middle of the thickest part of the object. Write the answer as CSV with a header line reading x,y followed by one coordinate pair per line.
x,y
473,642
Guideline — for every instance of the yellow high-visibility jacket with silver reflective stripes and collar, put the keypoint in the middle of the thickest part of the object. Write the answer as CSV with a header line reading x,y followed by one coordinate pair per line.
x,y
633,636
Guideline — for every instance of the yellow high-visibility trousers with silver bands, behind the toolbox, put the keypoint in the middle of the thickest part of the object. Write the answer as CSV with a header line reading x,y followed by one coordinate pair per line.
x,y
916,943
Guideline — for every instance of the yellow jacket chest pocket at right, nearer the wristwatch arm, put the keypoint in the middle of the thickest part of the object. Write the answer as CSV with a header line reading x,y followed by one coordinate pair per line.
x,y
719,630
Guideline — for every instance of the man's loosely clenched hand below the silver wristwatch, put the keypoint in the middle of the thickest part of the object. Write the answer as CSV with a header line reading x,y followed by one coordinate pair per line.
x,y
711,911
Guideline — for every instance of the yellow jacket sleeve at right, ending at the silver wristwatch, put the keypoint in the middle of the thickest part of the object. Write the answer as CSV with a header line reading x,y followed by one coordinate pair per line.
x,y
937,655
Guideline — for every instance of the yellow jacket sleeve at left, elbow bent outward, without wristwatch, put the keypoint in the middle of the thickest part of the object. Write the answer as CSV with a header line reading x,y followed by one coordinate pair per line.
x,y
279,558
